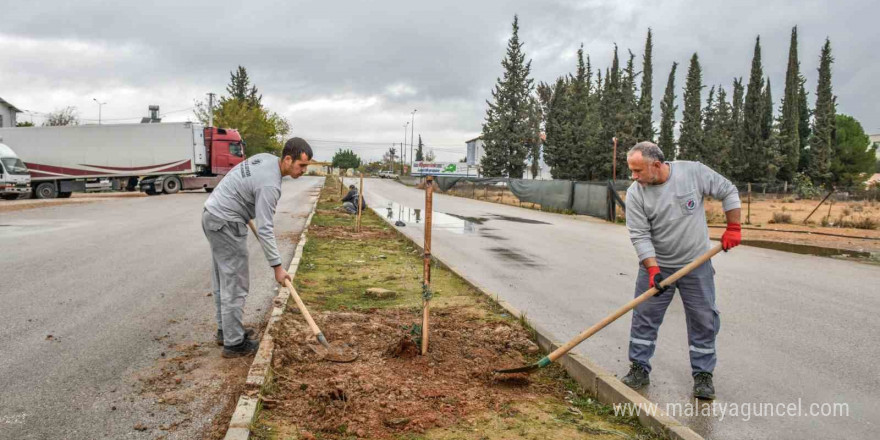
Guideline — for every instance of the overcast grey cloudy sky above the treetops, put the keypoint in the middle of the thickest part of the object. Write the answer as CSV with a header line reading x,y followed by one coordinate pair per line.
x,y
350,73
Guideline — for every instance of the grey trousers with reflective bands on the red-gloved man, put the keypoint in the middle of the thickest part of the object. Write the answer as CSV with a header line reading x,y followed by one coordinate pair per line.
x,y
697,290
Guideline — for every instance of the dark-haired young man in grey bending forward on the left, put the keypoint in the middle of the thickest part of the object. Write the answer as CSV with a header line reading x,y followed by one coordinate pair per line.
x,y
249,191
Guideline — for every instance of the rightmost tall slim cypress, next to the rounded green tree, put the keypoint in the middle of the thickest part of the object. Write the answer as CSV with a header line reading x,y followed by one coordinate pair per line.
x,y
824,121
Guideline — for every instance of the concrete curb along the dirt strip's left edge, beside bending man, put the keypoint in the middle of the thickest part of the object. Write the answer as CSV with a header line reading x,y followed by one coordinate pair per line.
x,y
261,368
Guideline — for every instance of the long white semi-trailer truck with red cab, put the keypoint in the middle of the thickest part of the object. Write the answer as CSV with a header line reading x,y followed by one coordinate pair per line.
x,y
159,158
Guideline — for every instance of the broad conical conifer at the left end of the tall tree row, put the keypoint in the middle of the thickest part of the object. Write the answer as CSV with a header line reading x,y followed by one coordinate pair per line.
x,y
507,128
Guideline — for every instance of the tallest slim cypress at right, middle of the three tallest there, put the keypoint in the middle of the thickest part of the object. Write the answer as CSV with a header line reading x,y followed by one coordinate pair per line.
x,y
789,122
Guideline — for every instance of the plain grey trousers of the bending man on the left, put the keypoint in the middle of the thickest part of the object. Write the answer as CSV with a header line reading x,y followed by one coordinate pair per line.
x,y
229,273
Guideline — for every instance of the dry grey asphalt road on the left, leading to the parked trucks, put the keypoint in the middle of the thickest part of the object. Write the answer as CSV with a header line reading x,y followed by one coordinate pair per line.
x,y
115,283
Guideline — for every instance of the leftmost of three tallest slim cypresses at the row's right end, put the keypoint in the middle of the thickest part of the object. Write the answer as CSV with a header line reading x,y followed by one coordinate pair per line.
x,y
753,117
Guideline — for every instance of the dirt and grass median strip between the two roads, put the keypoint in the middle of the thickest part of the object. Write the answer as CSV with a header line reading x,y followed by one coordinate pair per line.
x,y
391,391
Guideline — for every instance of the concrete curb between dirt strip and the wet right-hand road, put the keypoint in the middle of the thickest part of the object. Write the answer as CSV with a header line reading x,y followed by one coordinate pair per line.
x,y
606,387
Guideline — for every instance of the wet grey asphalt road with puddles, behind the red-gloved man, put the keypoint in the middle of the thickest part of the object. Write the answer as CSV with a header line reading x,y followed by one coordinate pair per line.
x,y
795,329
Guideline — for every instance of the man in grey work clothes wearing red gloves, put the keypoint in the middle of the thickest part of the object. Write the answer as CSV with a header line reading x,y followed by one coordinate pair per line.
x,y
667,226
